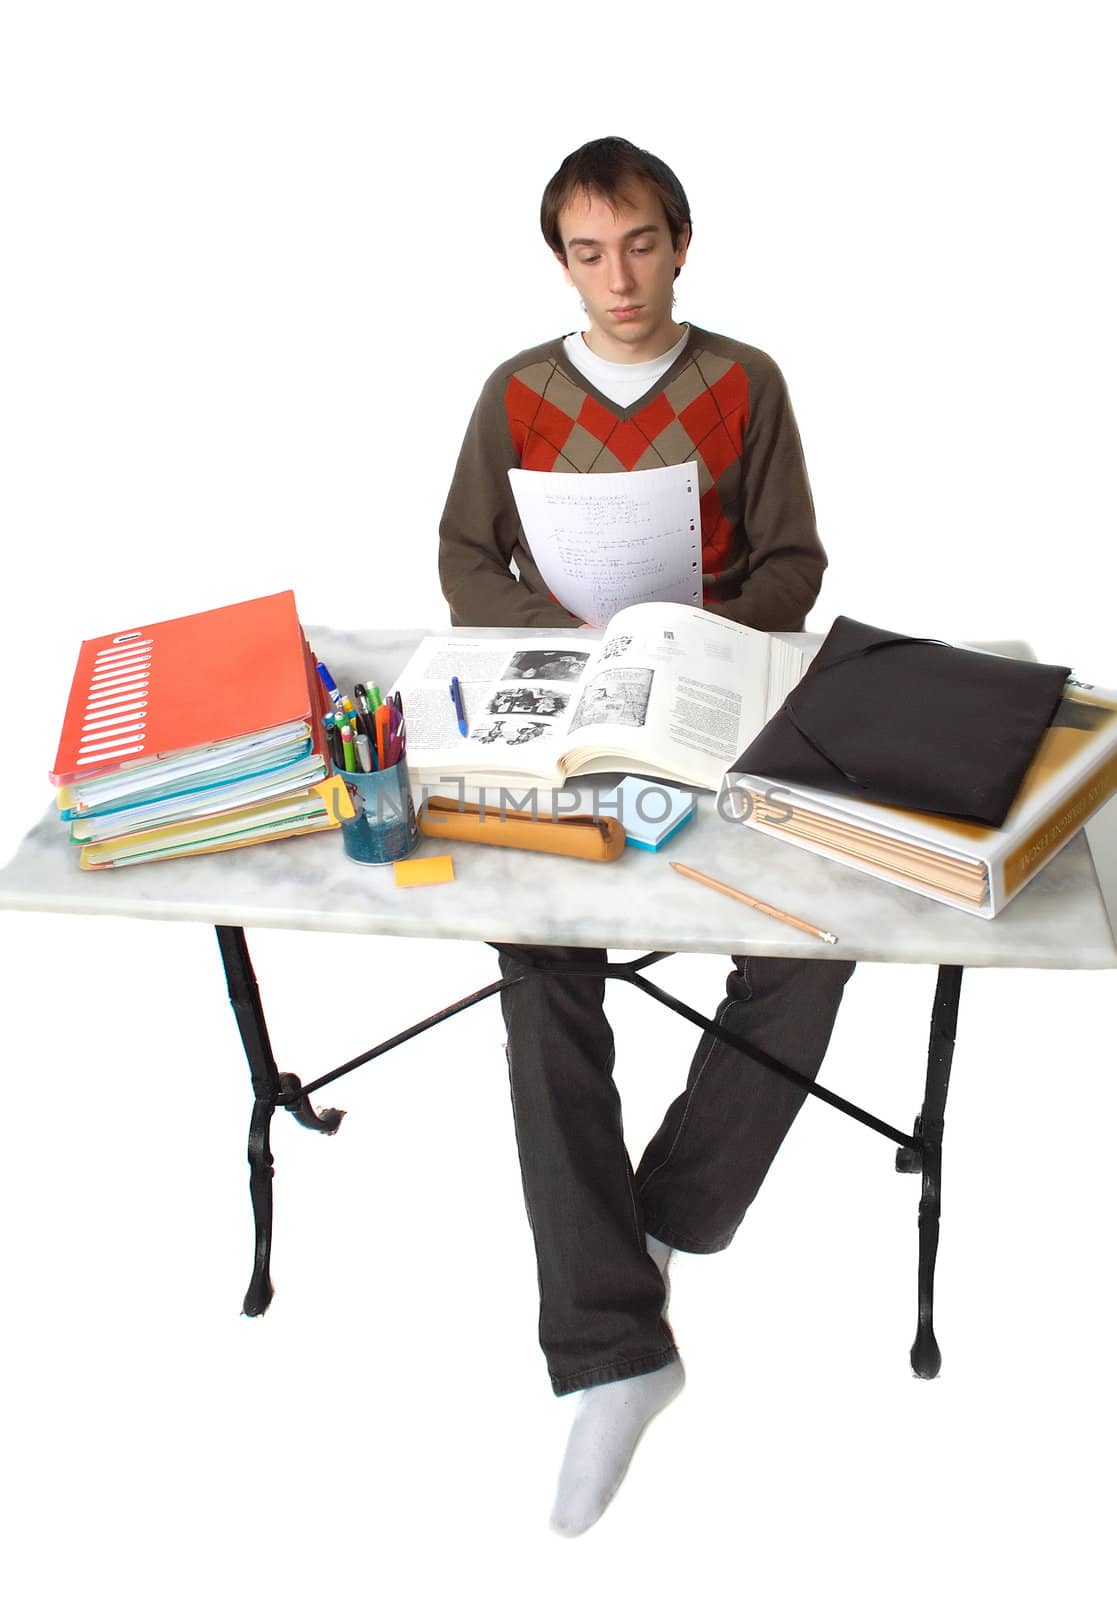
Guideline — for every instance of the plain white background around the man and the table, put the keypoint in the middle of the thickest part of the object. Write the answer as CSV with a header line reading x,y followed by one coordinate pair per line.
x,y
257,263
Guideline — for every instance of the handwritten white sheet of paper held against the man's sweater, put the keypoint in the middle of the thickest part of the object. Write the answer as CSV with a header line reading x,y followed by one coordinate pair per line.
x,y
607,540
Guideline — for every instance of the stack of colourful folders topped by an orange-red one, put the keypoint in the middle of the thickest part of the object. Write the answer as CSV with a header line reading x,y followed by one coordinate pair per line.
x,y
196,735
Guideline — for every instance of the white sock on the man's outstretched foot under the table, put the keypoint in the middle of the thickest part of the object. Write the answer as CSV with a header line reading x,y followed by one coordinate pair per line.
x,y
606,1431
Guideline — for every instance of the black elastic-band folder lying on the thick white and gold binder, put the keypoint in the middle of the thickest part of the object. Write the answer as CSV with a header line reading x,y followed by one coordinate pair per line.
x,y
910,722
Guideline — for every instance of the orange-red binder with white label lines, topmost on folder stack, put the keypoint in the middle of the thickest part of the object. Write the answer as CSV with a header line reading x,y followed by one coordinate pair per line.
x,y
198,681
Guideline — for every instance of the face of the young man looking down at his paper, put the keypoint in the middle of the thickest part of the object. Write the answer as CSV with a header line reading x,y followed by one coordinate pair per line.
x,y
623,265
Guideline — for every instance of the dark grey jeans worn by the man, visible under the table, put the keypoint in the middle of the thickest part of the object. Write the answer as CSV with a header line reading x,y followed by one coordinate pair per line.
x,y
601,1295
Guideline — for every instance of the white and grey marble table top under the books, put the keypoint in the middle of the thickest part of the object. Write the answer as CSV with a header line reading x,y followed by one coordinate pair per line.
x,y
638,903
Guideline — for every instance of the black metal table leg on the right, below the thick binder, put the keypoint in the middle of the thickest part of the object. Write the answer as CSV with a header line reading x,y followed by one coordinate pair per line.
x,y
929,1130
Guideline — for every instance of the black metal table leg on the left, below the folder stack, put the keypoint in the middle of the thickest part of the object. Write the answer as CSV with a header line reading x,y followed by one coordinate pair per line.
x,y
270,1084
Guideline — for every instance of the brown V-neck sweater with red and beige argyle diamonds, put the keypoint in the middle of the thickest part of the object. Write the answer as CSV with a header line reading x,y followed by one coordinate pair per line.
x,y
723,406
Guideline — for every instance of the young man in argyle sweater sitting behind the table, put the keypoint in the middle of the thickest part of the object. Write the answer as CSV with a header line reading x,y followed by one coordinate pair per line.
x,y
636,391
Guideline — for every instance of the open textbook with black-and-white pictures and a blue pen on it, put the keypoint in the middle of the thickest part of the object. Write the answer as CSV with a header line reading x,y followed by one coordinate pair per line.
x,y
667,692
